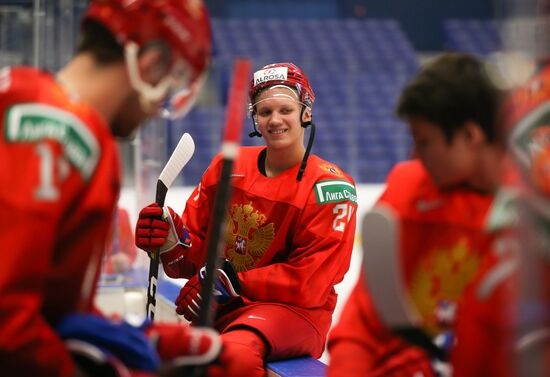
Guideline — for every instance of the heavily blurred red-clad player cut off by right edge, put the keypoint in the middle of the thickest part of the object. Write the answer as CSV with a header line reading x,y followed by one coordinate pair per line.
x,y
507,309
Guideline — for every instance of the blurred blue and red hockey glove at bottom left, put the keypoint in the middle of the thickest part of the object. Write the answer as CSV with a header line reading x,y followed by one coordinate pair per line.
x,y
102,345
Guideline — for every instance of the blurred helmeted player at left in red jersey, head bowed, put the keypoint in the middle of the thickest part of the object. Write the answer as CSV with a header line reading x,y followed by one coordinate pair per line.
x,y
60,173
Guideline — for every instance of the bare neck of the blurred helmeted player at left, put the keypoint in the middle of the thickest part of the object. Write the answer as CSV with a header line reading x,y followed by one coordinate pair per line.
x,y
103,88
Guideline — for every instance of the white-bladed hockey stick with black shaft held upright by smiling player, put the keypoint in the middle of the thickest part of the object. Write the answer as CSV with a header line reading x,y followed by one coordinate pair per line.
x,y
179,158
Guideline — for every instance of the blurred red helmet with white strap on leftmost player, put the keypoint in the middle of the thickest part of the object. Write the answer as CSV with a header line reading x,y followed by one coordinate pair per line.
x,y
183,25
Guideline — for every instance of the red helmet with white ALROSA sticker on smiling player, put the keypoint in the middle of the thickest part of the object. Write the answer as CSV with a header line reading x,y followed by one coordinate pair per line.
x,y
287,74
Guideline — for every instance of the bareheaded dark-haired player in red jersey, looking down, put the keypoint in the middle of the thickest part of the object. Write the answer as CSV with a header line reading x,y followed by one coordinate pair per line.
x,y
441,200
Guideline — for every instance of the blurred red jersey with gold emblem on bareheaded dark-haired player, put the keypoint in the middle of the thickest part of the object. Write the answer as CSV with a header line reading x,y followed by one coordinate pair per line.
x,y
442,243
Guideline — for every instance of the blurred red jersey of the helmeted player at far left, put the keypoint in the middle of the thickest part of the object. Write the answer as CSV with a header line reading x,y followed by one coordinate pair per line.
x,y
58,189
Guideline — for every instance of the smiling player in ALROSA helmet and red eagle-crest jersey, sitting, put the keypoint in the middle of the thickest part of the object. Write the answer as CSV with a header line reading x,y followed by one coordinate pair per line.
x,y
289,238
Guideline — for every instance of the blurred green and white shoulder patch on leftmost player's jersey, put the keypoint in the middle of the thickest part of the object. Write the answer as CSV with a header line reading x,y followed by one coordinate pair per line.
x,y
28,123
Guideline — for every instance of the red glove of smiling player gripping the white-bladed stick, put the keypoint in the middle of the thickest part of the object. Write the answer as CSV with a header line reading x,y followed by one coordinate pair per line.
x,y
160,229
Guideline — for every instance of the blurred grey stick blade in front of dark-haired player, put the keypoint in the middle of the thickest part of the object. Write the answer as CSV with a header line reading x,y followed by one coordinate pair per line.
x,y
384,278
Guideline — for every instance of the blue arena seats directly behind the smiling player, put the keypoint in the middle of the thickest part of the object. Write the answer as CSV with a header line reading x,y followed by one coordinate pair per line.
x,y
356,67
